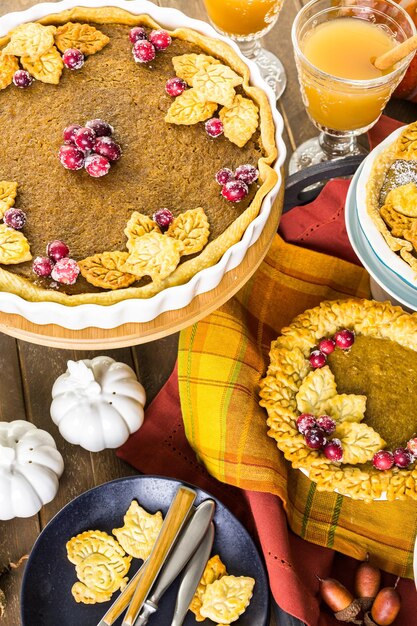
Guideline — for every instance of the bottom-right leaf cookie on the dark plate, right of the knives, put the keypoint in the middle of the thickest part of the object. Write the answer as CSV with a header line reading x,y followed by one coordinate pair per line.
x,y
227,598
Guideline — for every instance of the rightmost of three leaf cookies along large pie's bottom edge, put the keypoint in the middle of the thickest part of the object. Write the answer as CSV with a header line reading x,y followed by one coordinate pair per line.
x,y
192,229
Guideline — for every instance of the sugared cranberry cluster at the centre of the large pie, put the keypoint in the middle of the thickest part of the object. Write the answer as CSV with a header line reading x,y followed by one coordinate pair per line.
x,y
90,146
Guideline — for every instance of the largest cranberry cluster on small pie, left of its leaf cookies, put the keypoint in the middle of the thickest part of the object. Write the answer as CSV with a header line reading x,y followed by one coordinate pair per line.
x,y
316,431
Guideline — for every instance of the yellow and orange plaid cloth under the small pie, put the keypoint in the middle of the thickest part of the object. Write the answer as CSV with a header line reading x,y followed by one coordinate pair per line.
x,y
221,360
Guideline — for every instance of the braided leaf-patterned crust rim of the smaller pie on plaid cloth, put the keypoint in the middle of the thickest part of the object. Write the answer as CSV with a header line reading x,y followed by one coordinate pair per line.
x,y
288,368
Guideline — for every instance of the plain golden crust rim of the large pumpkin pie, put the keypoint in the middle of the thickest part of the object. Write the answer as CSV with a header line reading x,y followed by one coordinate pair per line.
x,y
212,253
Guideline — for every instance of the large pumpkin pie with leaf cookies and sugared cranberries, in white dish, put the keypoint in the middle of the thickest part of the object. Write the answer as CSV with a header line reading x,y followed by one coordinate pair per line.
x,y
138,205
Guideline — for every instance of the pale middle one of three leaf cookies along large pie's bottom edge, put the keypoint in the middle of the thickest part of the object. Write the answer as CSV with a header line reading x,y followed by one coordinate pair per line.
x,y
153,255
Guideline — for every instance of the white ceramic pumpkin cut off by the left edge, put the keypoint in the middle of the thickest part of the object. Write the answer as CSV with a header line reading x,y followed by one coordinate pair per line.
x,y
30,466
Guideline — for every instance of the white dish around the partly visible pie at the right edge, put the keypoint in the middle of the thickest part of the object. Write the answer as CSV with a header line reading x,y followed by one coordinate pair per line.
x,y
374,238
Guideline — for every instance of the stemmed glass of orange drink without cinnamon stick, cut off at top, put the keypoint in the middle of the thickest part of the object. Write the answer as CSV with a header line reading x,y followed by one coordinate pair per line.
x,y
246,22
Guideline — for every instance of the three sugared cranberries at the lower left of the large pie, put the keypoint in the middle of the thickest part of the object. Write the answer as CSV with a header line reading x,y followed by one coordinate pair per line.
x,y
56,264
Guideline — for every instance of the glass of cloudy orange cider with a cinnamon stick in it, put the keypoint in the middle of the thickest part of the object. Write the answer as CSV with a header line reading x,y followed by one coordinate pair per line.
x,y
335,43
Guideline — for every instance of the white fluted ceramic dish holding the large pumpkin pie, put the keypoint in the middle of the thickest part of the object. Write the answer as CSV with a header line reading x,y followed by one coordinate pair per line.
x,y
174,298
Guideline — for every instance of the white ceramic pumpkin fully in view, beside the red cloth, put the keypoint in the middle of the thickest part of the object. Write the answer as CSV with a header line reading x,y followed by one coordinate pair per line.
x,y
97,403
